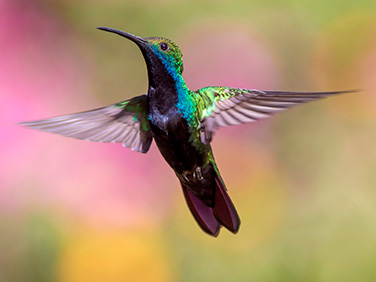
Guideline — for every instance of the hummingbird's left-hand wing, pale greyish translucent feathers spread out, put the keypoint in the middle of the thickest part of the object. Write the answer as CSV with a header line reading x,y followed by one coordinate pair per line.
x,y
125,122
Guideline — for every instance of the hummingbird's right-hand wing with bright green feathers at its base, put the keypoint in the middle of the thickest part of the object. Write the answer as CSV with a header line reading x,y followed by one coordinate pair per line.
x,y
222,106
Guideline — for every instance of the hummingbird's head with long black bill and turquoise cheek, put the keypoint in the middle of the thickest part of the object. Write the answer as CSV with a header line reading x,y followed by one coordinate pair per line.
x,y
157,51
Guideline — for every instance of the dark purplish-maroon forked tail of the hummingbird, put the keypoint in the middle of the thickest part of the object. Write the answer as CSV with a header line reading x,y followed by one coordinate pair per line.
x,y
220,212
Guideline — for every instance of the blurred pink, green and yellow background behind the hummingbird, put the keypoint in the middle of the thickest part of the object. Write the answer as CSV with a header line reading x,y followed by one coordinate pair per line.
x,y
304,182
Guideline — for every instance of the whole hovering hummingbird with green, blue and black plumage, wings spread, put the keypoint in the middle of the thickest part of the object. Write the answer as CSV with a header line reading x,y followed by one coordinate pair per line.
x,y
182,123
